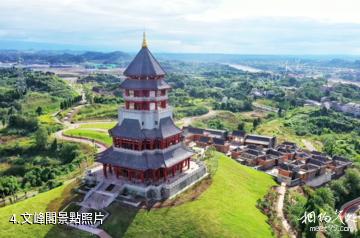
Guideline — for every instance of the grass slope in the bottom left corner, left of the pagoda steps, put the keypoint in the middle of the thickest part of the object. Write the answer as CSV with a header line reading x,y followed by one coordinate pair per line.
x,y
53,200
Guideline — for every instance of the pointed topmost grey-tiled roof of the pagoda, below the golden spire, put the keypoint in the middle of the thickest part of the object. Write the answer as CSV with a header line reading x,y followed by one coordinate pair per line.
x,y
144,64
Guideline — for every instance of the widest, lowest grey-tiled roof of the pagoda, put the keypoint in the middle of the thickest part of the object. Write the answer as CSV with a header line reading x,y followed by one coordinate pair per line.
x,y
146,160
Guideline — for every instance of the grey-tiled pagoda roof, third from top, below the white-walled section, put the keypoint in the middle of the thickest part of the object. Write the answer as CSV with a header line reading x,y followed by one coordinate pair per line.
x,y
131,129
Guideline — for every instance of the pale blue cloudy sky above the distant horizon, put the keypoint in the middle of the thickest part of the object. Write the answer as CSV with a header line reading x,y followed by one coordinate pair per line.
x,y
187,26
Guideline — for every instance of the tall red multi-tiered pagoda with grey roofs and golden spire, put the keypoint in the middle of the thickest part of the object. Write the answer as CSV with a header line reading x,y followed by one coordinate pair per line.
x,y
147,145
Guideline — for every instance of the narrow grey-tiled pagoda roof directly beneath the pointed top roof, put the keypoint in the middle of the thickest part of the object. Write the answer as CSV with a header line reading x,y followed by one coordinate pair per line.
x,y
136,84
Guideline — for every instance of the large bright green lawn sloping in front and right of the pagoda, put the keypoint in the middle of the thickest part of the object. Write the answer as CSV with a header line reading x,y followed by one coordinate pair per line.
x,y
226,209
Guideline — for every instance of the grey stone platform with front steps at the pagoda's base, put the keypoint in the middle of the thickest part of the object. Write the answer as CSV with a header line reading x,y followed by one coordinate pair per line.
x,y
134,188
